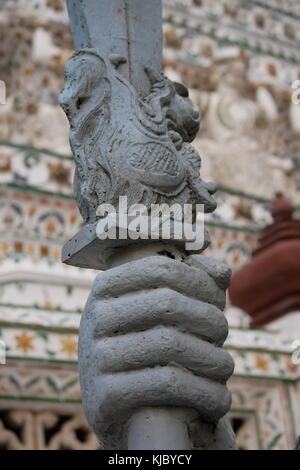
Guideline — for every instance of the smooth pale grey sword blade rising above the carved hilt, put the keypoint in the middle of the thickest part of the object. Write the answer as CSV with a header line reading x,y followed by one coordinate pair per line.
x,y
128,29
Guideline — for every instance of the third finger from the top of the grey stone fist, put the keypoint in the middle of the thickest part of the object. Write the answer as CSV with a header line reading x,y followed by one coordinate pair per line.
x,y
137,351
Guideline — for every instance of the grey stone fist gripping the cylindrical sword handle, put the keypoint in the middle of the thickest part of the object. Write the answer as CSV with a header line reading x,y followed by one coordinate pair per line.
x,y
151,336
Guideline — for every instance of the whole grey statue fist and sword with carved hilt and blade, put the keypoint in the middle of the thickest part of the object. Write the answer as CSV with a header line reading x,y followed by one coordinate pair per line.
x,y
152,369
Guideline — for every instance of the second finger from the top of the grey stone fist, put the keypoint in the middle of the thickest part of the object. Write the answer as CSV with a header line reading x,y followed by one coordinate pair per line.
x,y
145,310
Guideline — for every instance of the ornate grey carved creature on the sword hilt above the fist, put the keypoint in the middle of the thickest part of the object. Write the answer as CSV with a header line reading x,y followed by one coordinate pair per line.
x,y
124,144
